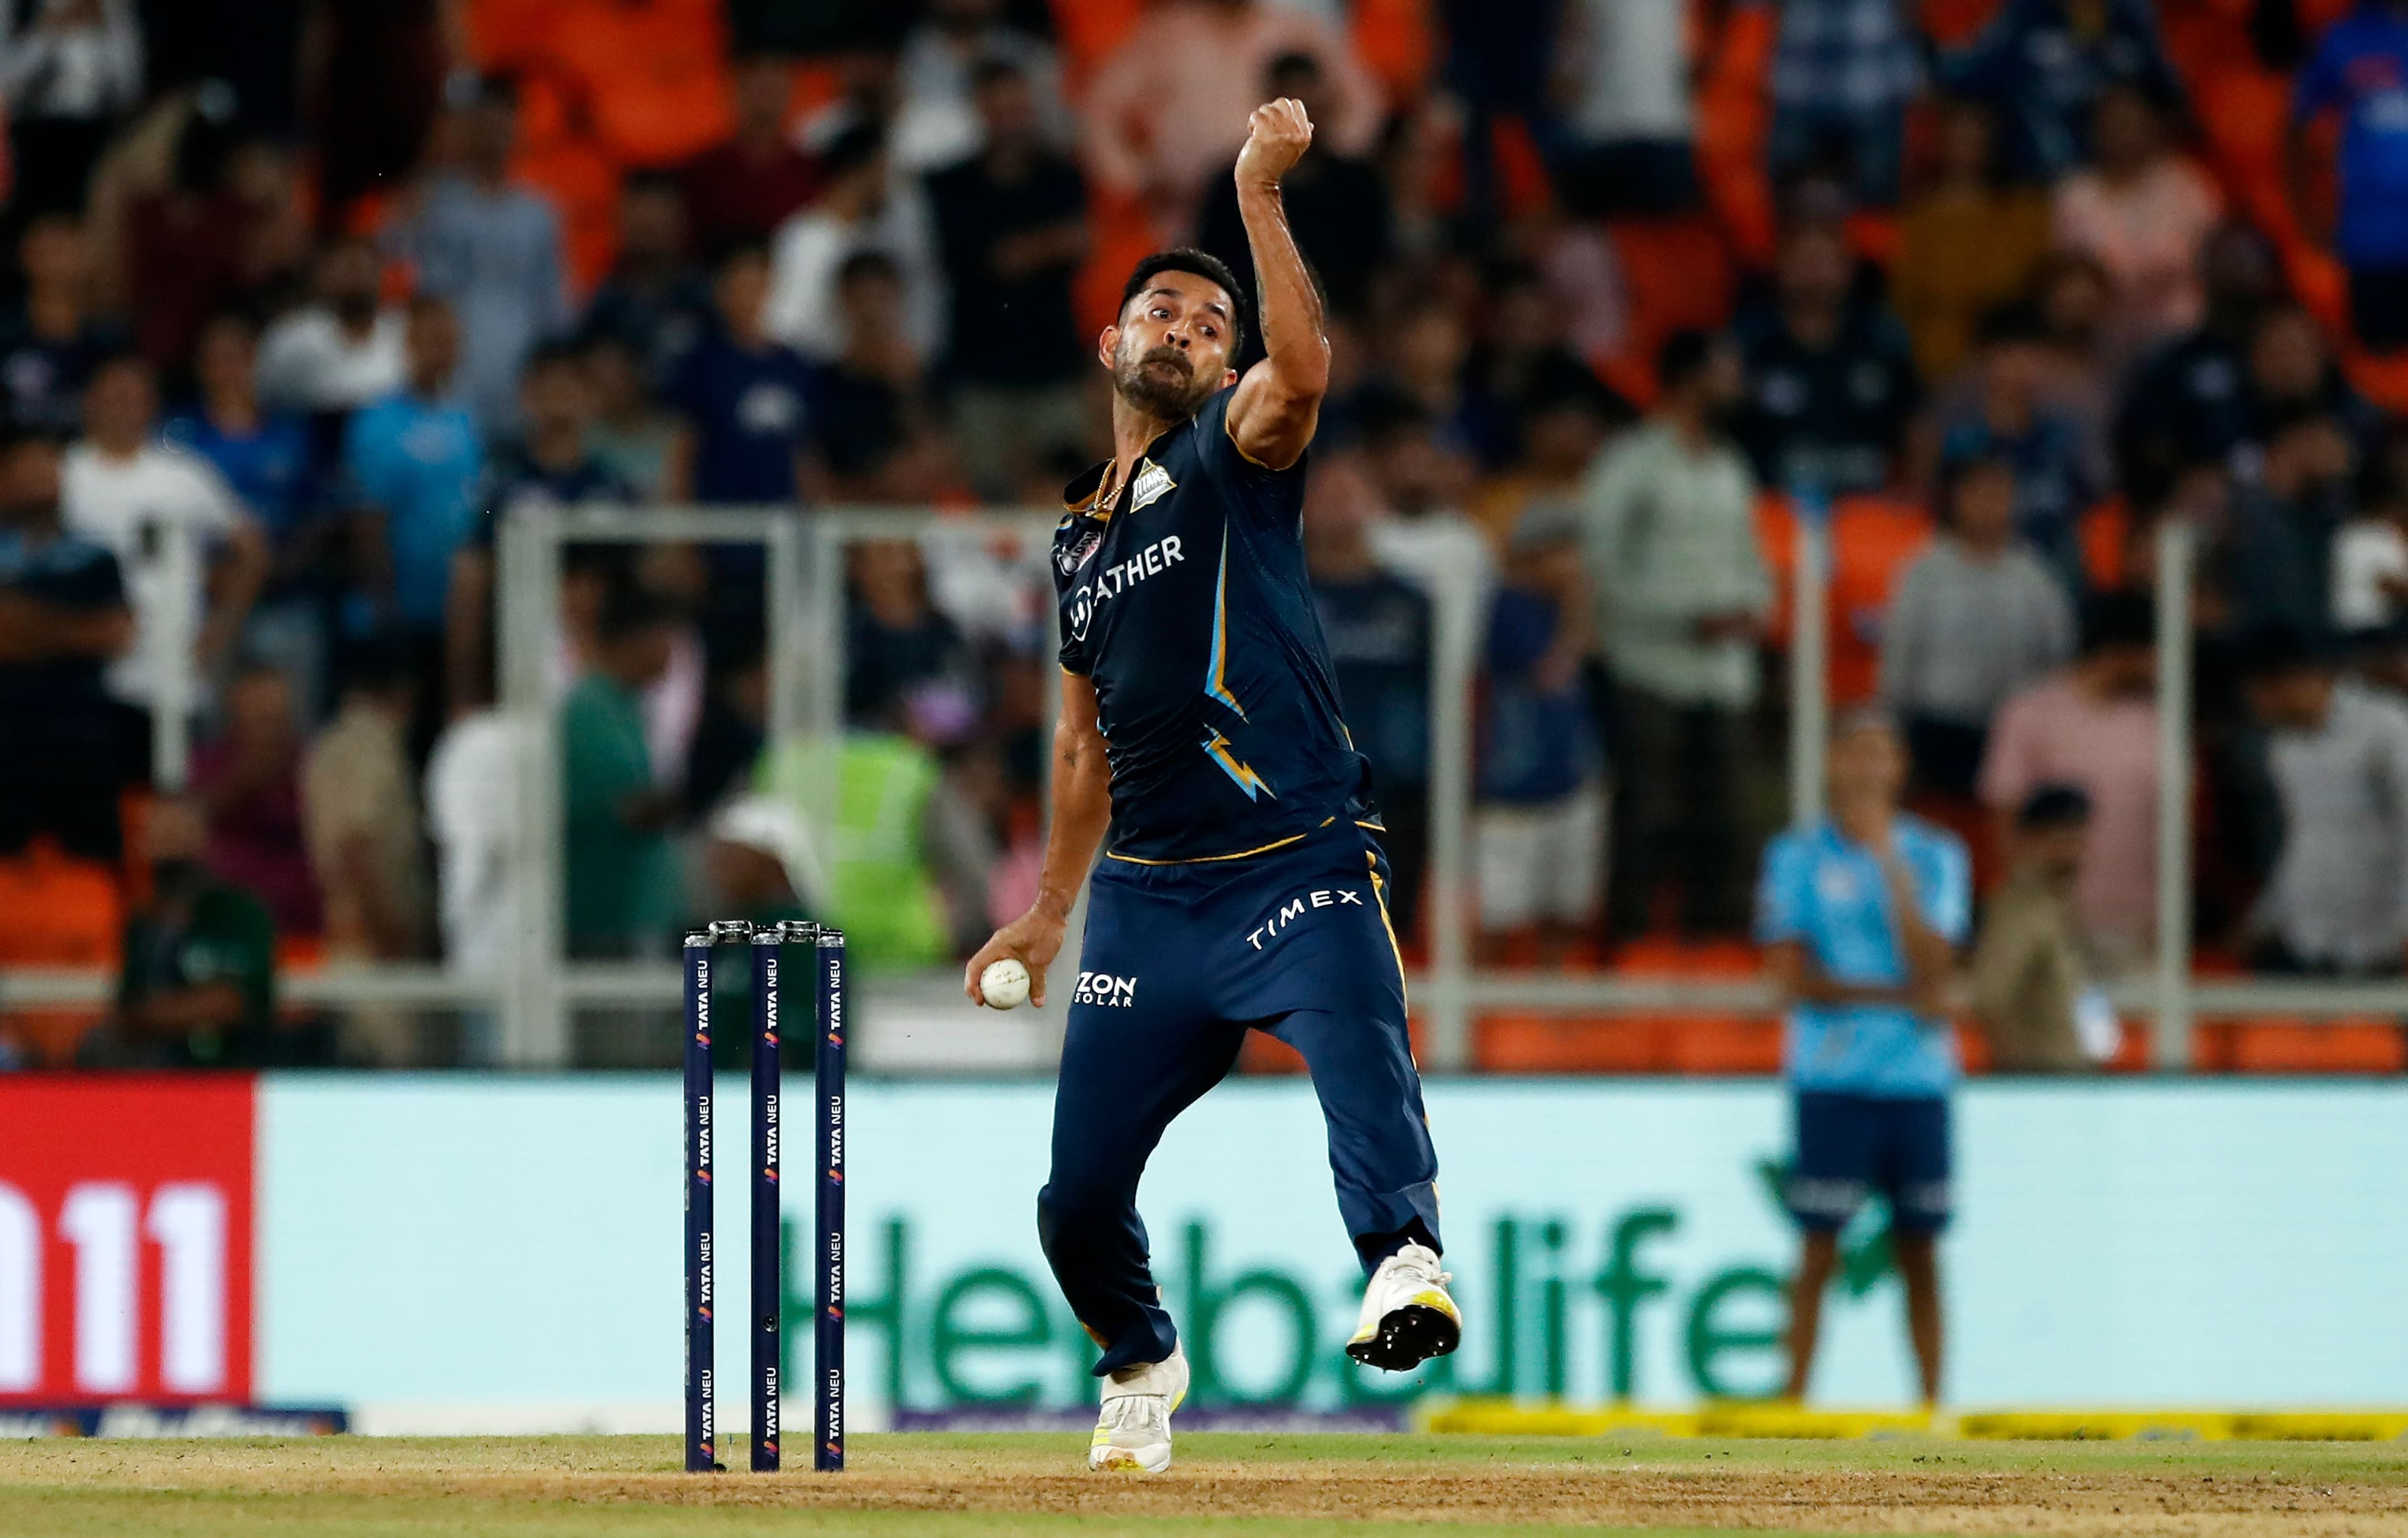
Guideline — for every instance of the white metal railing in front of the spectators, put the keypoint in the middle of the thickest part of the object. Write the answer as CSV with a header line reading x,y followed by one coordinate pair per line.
x,y
808,666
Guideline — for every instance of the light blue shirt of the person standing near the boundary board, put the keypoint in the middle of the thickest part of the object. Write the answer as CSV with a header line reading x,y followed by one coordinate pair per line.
x,y
1829,894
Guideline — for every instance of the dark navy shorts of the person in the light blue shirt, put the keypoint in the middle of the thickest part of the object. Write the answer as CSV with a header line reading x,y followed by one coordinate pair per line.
x,y
1867,1144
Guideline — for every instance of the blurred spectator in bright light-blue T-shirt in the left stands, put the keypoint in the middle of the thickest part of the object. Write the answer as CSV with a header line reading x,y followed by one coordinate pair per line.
x,y
413,466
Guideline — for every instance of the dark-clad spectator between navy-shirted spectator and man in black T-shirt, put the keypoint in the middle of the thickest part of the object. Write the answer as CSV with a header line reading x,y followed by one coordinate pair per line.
x,y
873,396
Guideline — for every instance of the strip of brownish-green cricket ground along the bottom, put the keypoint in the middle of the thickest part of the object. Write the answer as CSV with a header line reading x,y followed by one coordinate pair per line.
x,y
1354,1486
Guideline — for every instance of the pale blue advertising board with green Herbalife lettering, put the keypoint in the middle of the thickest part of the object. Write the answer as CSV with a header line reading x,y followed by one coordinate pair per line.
x,y
449,1253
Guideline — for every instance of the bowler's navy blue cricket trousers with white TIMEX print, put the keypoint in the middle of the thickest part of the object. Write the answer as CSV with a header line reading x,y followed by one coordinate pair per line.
x,y
1179,964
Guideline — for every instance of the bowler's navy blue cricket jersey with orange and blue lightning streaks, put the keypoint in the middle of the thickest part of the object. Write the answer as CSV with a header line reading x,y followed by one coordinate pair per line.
x,y
1184,598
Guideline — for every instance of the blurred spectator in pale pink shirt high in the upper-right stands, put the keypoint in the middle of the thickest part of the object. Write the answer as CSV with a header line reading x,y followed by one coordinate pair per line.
x,y
2144,213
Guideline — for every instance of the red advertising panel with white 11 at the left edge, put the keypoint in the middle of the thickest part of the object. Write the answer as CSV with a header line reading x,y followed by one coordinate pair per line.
x,y
126,1231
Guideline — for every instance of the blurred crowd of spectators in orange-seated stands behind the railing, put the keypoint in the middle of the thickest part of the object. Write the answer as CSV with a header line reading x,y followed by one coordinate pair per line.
x,y
307,302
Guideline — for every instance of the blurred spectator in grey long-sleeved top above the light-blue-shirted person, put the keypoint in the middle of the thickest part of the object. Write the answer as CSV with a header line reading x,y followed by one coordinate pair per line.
x,y
1976,620
